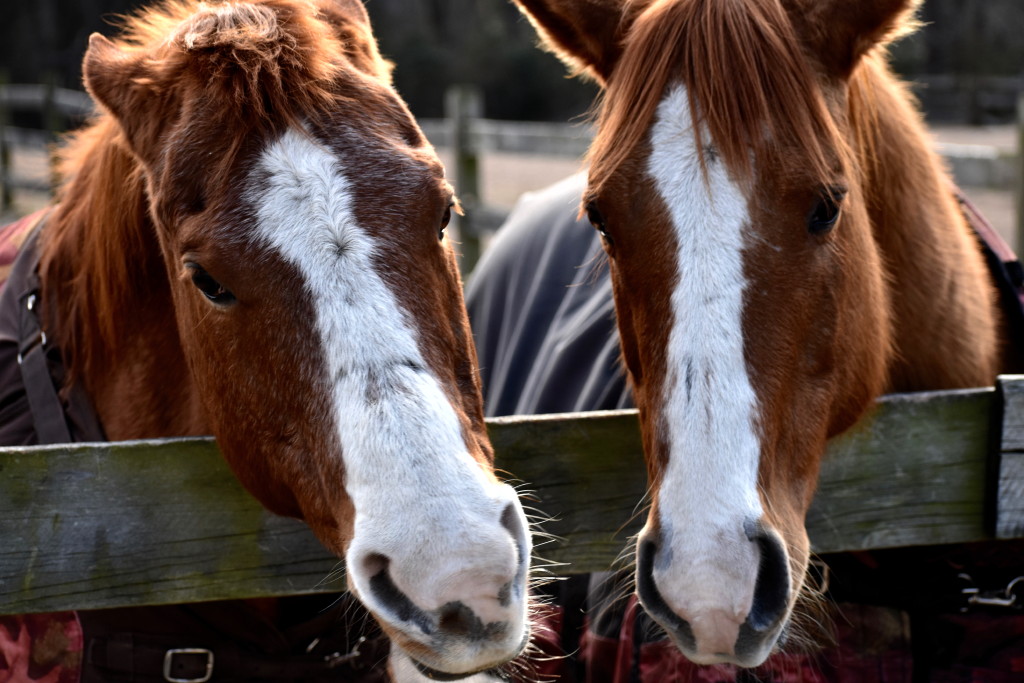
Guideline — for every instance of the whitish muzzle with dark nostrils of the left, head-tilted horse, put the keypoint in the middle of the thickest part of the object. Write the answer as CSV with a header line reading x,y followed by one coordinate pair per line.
x,y
458,604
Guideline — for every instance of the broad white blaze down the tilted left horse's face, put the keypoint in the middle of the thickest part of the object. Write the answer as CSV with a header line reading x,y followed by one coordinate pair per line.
x,y
421,501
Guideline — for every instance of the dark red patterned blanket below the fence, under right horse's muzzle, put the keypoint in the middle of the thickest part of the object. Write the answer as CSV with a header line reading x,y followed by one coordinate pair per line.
x,y
874,647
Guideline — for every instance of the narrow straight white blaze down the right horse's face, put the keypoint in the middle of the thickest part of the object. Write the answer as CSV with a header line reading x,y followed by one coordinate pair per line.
x,y
709,492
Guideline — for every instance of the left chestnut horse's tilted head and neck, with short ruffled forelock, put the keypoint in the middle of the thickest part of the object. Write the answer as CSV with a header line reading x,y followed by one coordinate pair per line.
x,y
250,243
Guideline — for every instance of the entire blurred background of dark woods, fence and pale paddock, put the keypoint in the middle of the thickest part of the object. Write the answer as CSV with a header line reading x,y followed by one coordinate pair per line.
x,y
504,115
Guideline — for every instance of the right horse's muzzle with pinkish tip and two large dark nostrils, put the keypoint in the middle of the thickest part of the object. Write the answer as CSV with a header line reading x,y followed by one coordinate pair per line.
x,y
709,624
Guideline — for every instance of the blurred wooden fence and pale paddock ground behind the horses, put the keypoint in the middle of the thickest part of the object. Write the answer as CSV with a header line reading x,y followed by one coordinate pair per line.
x,y
493,162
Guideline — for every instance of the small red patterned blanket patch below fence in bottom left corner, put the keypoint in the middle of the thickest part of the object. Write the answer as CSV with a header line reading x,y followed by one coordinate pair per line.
x,y
40,649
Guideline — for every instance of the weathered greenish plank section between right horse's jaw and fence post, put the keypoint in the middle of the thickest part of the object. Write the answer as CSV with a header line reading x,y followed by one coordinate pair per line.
x,y
913,473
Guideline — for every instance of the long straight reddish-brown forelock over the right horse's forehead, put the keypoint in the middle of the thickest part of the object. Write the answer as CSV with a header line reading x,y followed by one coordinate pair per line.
x,y
746,74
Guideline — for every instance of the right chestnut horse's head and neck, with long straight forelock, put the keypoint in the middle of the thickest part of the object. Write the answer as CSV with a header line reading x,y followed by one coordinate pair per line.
x,y
784,246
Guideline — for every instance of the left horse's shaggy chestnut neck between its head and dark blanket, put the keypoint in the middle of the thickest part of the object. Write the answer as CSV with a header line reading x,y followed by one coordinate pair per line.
x,y
109,301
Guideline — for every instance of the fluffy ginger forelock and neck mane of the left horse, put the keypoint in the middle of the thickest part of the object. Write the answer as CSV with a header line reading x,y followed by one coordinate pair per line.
x,y
268,64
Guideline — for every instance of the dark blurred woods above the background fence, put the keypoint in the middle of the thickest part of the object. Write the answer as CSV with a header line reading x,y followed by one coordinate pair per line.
x,y
968,63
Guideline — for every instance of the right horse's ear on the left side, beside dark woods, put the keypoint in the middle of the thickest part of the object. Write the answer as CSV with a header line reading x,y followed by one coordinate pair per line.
x,y
585,34
